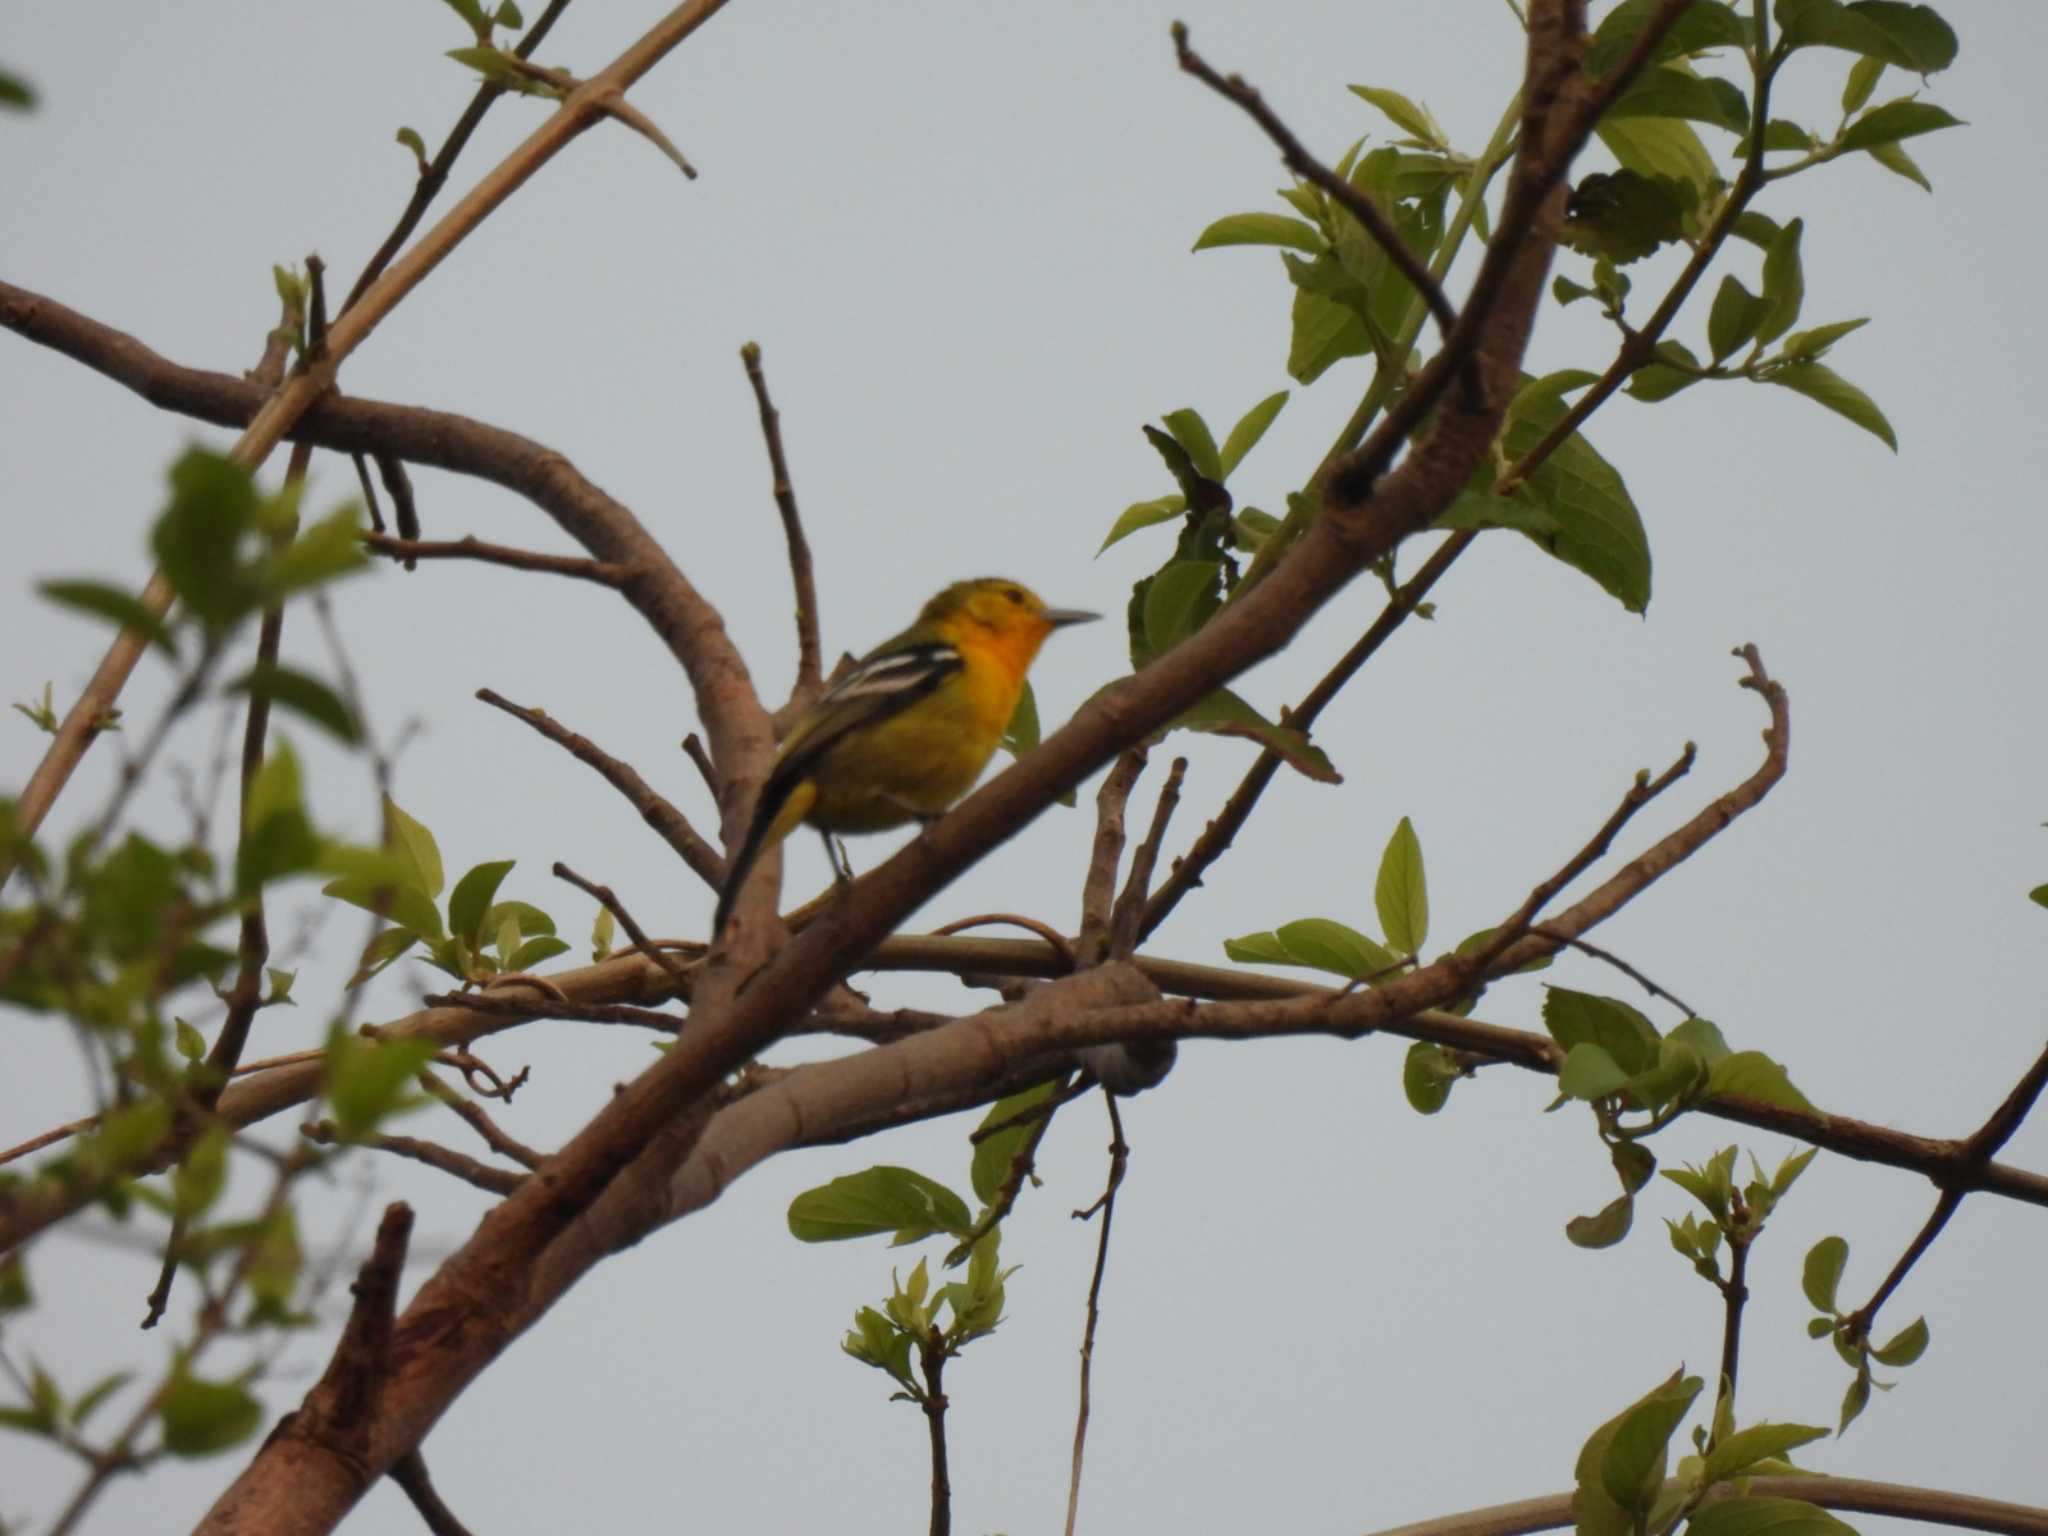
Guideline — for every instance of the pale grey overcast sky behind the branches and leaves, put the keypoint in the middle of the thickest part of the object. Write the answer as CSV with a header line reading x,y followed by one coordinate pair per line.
x,y
962,234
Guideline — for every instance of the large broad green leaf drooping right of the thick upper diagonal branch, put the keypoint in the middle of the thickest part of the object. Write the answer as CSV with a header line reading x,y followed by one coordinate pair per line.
x,y
1598,527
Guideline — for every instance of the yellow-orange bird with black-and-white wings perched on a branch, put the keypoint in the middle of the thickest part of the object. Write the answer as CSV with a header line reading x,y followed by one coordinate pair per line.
x,y
910,728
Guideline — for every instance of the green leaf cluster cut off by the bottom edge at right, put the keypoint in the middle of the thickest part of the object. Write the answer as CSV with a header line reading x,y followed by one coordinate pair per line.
x,y
1625,1482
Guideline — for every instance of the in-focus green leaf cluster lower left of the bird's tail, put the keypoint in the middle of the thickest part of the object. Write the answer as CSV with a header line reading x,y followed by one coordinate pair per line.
x,y
480,939
